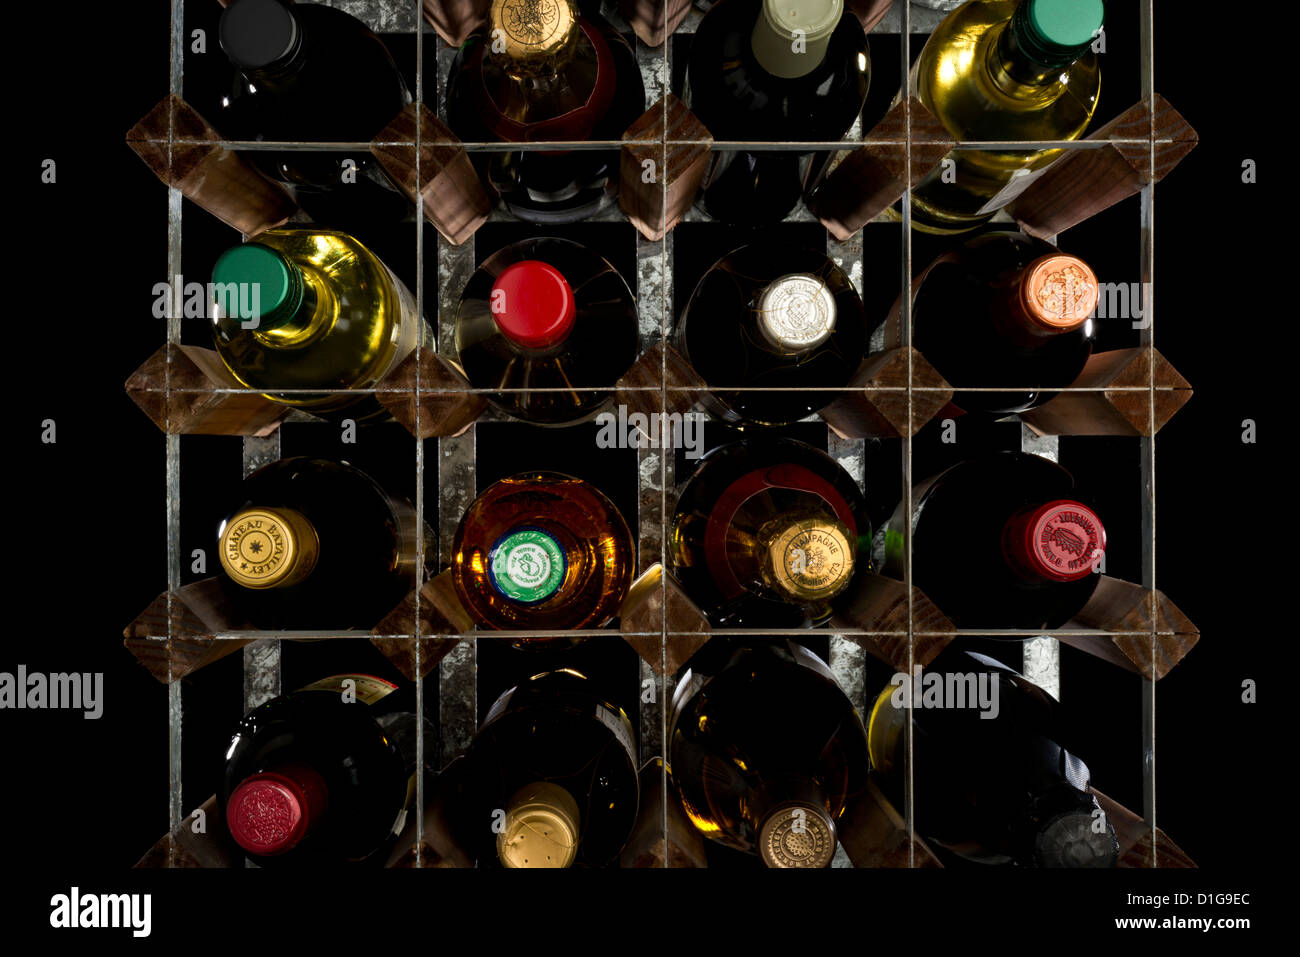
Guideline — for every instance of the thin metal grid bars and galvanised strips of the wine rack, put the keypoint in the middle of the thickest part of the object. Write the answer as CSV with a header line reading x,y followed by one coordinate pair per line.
x,y
456,466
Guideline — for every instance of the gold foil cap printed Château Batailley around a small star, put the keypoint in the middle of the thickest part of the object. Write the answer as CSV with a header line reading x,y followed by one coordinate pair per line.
x,y
268,548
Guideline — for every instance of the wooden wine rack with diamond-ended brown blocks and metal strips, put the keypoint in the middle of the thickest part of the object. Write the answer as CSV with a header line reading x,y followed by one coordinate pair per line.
x,y
896,393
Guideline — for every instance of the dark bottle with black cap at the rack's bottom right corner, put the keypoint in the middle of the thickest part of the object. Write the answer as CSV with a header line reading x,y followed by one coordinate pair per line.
x,y
990,782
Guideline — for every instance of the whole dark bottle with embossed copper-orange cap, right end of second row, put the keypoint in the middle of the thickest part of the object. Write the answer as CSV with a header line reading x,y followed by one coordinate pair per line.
x,y
1006,310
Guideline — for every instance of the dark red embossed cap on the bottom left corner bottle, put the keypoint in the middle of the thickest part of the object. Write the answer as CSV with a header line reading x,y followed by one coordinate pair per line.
x,y
270,813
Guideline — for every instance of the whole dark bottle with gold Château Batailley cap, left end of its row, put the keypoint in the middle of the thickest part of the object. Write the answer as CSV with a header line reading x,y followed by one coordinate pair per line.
x,y
318,545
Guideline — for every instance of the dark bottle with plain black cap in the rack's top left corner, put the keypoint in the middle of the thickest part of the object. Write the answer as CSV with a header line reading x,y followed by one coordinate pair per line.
x,y
311,73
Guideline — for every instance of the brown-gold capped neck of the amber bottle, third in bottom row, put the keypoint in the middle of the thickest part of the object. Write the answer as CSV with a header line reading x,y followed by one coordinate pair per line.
x,y
795,828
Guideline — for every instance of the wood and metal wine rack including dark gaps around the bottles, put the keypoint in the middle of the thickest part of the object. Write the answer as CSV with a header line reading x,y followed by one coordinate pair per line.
x,y
883,428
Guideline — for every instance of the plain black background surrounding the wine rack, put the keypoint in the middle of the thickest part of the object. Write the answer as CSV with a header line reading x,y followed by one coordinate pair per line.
x,y
84,800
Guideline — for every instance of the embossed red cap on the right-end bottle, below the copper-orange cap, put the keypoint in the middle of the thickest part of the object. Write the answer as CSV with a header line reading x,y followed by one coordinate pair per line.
x,y
1060,542
